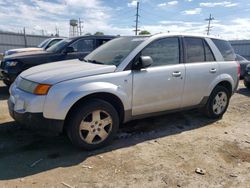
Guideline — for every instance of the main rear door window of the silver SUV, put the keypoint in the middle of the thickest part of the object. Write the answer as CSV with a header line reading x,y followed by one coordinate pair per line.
x,y
194,50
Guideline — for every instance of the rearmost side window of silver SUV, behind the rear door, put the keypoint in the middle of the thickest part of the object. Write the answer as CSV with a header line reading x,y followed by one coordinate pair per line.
x,y
225,48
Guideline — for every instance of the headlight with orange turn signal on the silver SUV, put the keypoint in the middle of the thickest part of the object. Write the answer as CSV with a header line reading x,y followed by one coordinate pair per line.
x,y
33,87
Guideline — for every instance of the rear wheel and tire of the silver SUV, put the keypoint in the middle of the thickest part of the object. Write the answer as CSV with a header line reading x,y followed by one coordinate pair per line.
x,y
217,103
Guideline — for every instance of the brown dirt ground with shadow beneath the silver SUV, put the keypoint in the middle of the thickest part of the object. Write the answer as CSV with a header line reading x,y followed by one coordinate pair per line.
x,y
157,152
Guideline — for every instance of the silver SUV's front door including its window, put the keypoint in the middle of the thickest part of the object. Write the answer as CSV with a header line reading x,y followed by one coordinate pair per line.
x,y
160,86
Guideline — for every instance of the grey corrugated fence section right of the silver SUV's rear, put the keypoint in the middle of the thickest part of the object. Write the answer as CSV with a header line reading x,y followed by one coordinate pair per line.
x,y
241,47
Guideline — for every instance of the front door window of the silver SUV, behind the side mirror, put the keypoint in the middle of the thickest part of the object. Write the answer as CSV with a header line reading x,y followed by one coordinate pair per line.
x,y
163,51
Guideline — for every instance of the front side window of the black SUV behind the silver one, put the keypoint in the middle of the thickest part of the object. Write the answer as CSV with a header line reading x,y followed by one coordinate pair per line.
x,y
83,45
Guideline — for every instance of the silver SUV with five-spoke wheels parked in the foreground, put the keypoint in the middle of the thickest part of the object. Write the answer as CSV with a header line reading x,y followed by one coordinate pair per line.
x,y
125,79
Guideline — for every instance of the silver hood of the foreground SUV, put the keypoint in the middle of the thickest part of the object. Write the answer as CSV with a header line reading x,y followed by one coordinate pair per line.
x,y
55,72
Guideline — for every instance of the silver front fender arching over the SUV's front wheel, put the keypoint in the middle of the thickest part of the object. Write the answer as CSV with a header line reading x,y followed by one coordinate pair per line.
x,y
57,107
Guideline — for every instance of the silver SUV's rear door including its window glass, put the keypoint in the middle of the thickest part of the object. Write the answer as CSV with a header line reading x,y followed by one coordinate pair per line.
x,y
201,70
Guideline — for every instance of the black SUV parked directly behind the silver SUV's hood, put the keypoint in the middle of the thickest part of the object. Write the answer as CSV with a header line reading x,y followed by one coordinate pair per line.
x,y
70,48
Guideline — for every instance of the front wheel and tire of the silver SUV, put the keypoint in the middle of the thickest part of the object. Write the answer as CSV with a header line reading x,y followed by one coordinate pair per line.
x,y
96,130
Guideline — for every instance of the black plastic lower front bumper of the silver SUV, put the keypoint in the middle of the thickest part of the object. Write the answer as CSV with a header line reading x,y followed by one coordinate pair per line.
x,y
35,121
